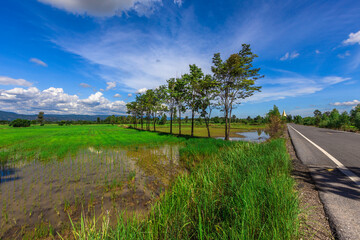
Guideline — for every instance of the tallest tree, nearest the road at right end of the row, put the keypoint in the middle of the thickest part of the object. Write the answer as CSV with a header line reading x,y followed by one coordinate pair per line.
x,y
236,77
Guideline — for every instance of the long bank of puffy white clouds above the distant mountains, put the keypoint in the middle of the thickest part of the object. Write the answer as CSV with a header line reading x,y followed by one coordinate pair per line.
x,y
55,100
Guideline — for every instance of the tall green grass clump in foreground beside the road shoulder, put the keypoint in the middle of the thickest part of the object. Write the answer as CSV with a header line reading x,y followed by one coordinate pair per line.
x,y
243,191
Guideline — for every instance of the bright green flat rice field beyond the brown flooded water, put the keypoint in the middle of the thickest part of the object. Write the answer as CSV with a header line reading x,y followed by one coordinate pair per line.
x,y
52,141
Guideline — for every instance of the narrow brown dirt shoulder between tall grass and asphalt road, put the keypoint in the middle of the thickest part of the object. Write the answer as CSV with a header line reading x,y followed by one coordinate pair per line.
x,y
314,222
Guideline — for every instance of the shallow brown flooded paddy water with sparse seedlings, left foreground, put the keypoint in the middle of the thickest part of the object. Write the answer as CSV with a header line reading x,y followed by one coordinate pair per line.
x,y
93,181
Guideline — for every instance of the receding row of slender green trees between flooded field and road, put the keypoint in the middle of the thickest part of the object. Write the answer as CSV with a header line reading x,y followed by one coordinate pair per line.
x,y
232,80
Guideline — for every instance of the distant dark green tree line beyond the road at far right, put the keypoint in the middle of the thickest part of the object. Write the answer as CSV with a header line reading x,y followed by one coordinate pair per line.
x,y
332,119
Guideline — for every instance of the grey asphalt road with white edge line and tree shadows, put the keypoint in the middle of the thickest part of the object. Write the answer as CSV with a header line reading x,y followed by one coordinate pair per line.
x,y
335,166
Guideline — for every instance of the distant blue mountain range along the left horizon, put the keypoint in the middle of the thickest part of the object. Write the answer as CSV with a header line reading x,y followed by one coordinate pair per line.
x,y
9,116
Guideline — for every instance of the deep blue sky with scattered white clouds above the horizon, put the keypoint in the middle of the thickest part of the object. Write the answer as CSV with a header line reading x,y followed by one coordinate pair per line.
x,y
93,56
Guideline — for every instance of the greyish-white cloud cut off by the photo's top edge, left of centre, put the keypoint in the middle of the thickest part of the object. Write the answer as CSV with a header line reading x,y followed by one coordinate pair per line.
x,y
104,8
